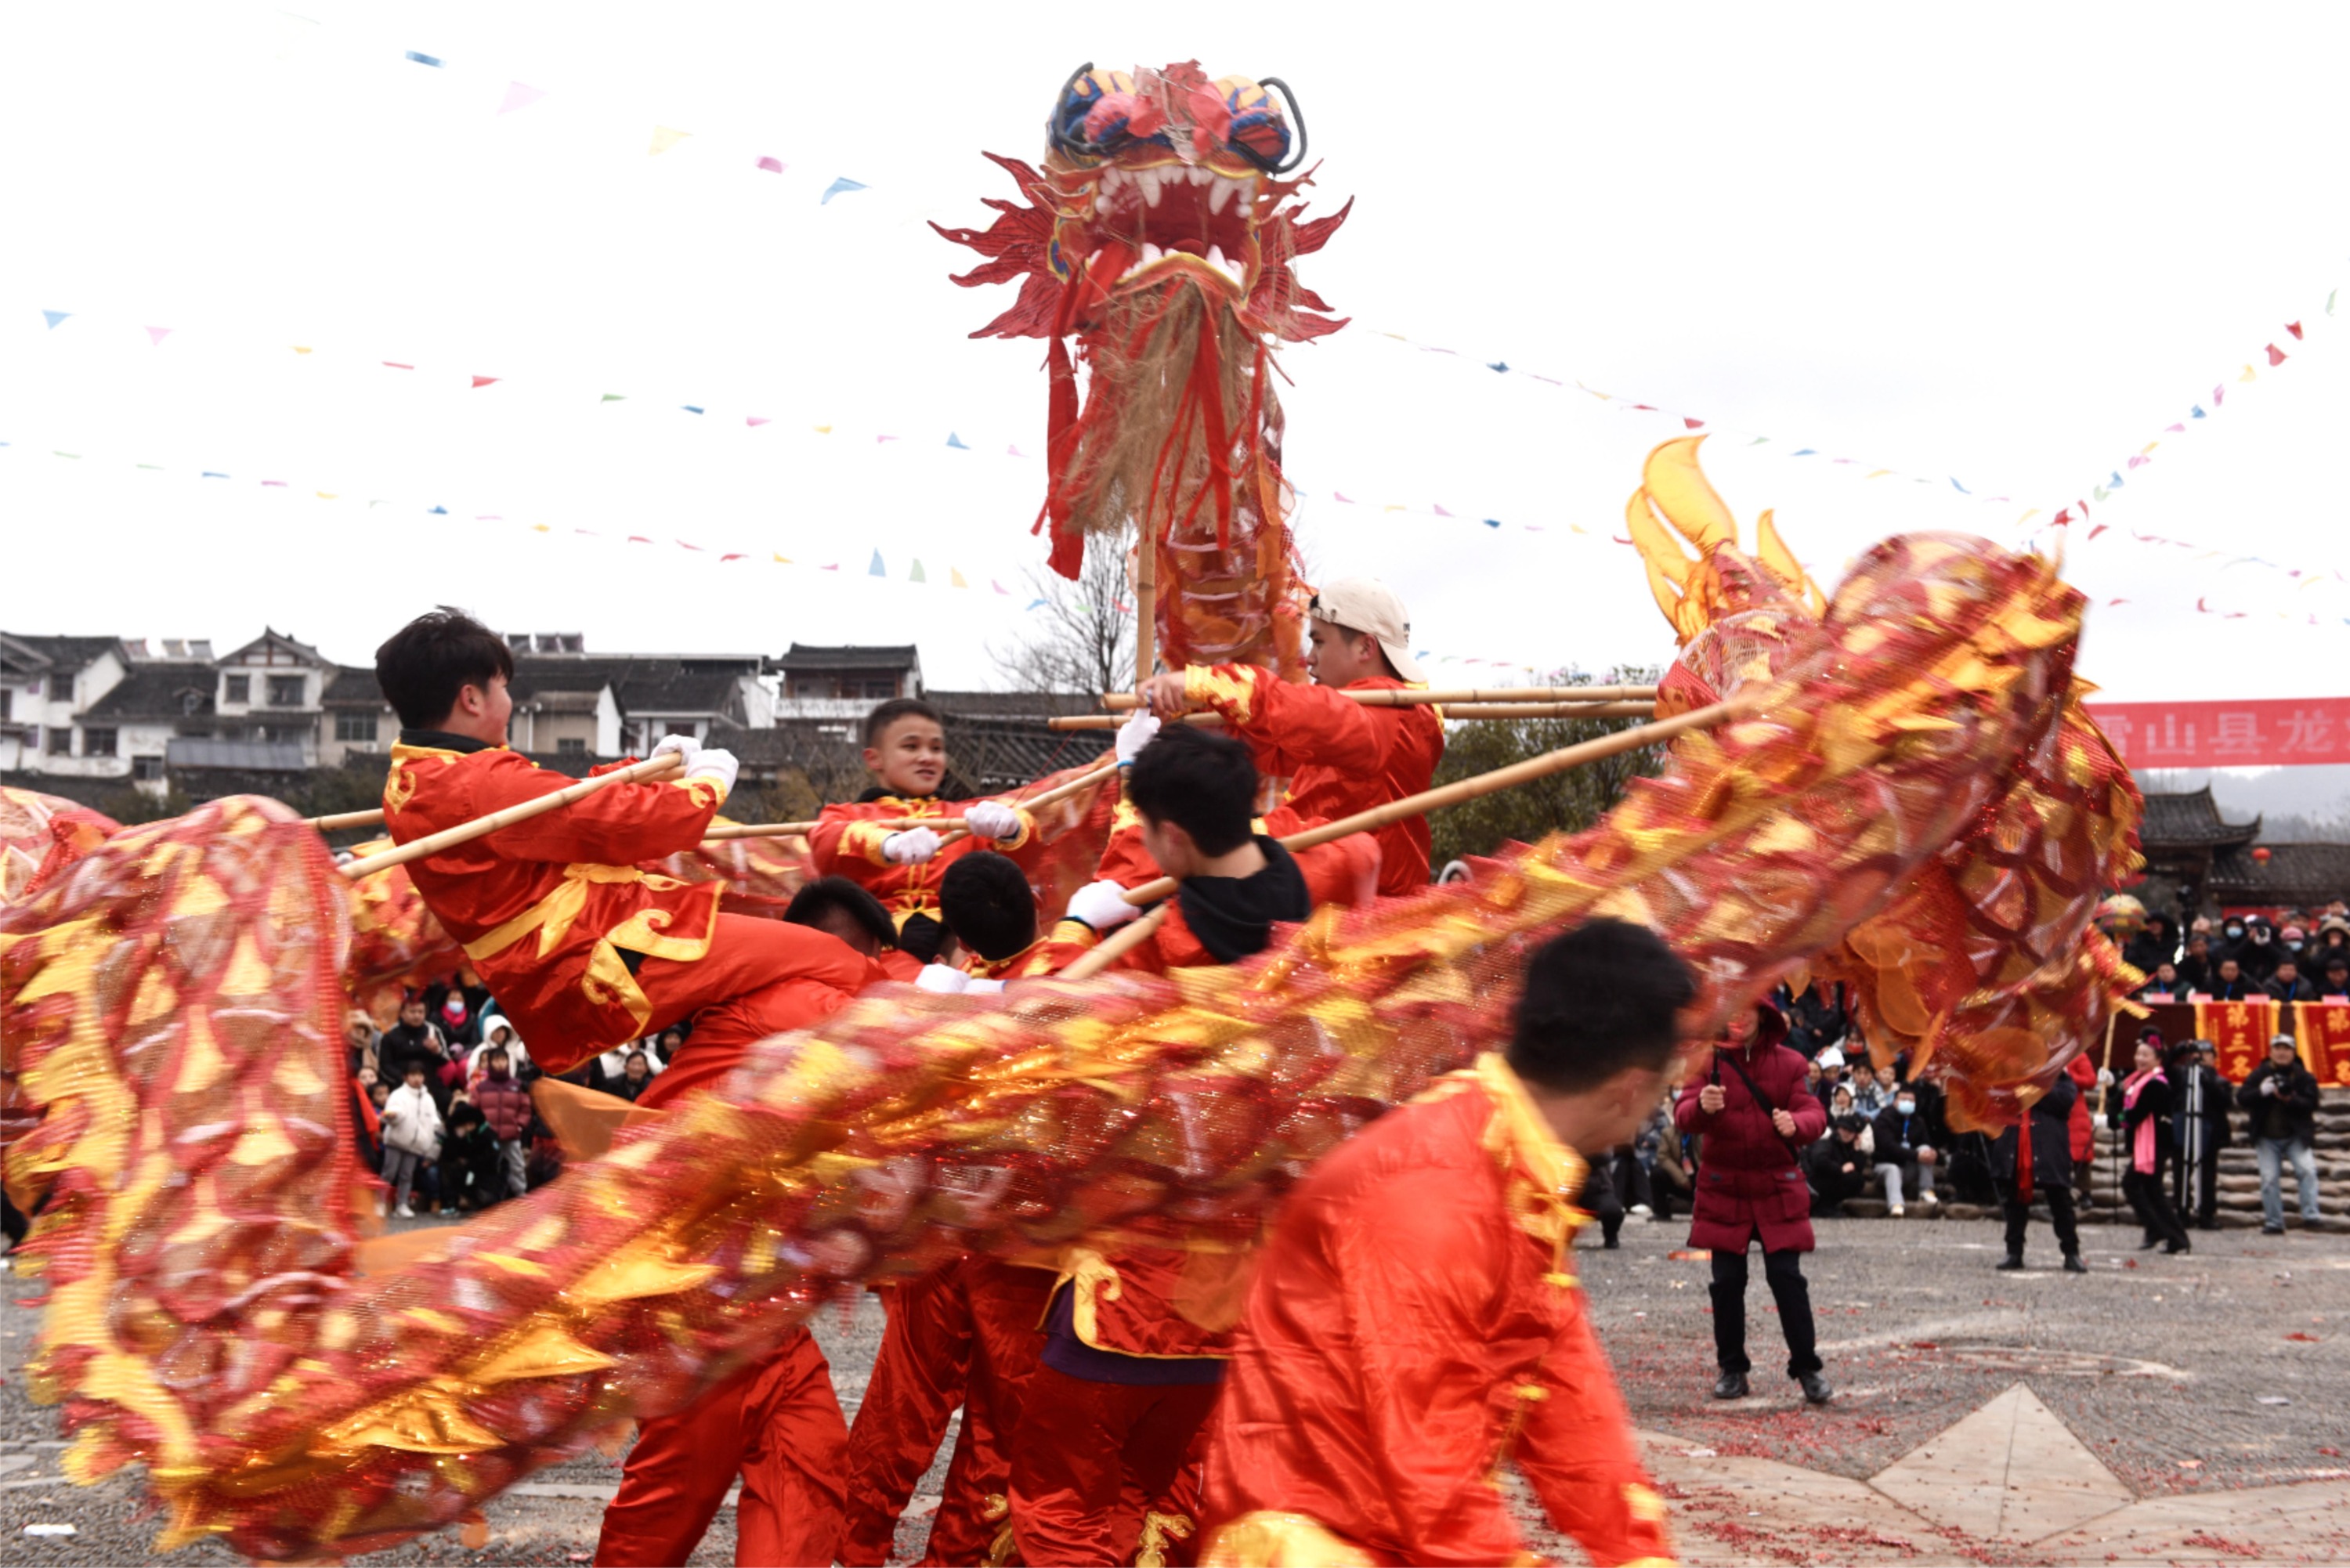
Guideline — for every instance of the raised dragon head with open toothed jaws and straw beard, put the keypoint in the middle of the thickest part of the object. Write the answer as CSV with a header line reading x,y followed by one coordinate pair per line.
x,y
1162,236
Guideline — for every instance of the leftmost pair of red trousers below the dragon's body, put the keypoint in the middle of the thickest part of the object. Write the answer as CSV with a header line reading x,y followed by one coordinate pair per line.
x,y
779,1426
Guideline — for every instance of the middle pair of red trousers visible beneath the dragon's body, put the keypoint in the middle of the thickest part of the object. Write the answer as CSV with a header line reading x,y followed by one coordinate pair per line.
x,y
965,1334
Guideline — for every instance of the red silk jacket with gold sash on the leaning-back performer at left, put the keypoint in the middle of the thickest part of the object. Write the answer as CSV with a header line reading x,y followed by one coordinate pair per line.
x,y
546,906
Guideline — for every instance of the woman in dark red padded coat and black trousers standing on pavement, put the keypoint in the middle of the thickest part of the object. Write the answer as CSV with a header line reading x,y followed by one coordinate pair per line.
x,y
1754,1118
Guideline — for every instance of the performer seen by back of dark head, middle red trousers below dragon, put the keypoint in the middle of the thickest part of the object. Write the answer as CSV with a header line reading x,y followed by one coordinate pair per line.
x,y
965,1334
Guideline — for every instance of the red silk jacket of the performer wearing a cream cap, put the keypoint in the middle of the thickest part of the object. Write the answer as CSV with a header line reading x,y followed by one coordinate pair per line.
x,y
1338,756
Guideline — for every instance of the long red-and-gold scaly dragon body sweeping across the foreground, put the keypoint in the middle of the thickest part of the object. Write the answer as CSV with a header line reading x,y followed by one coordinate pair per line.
x,y
175,1007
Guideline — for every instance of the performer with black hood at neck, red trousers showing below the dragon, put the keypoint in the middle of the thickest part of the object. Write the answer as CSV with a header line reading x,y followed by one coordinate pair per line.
x,y
1127,1376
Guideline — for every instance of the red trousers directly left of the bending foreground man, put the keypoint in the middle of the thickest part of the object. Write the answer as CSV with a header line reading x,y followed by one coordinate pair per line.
x,y
1092,1459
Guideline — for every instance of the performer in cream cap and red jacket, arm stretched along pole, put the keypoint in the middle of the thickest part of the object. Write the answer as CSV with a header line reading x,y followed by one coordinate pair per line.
x,y
1338,756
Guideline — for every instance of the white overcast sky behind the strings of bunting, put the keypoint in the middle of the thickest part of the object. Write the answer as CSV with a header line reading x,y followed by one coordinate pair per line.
x,y
1992,243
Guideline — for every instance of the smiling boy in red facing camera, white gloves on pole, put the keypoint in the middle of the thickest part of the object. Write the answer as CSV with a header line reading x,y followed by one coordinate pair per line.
x,y
906,751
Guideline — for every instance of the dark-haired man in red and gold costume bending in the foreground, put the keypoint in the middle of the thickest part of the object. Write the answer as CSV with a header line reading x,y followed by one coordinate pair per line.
x,y
1416,1315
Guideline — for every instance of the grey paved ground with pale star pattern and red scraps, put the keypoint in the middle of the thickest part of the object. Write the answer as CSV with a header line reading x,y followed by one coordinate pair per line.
x,y
1982,1419
